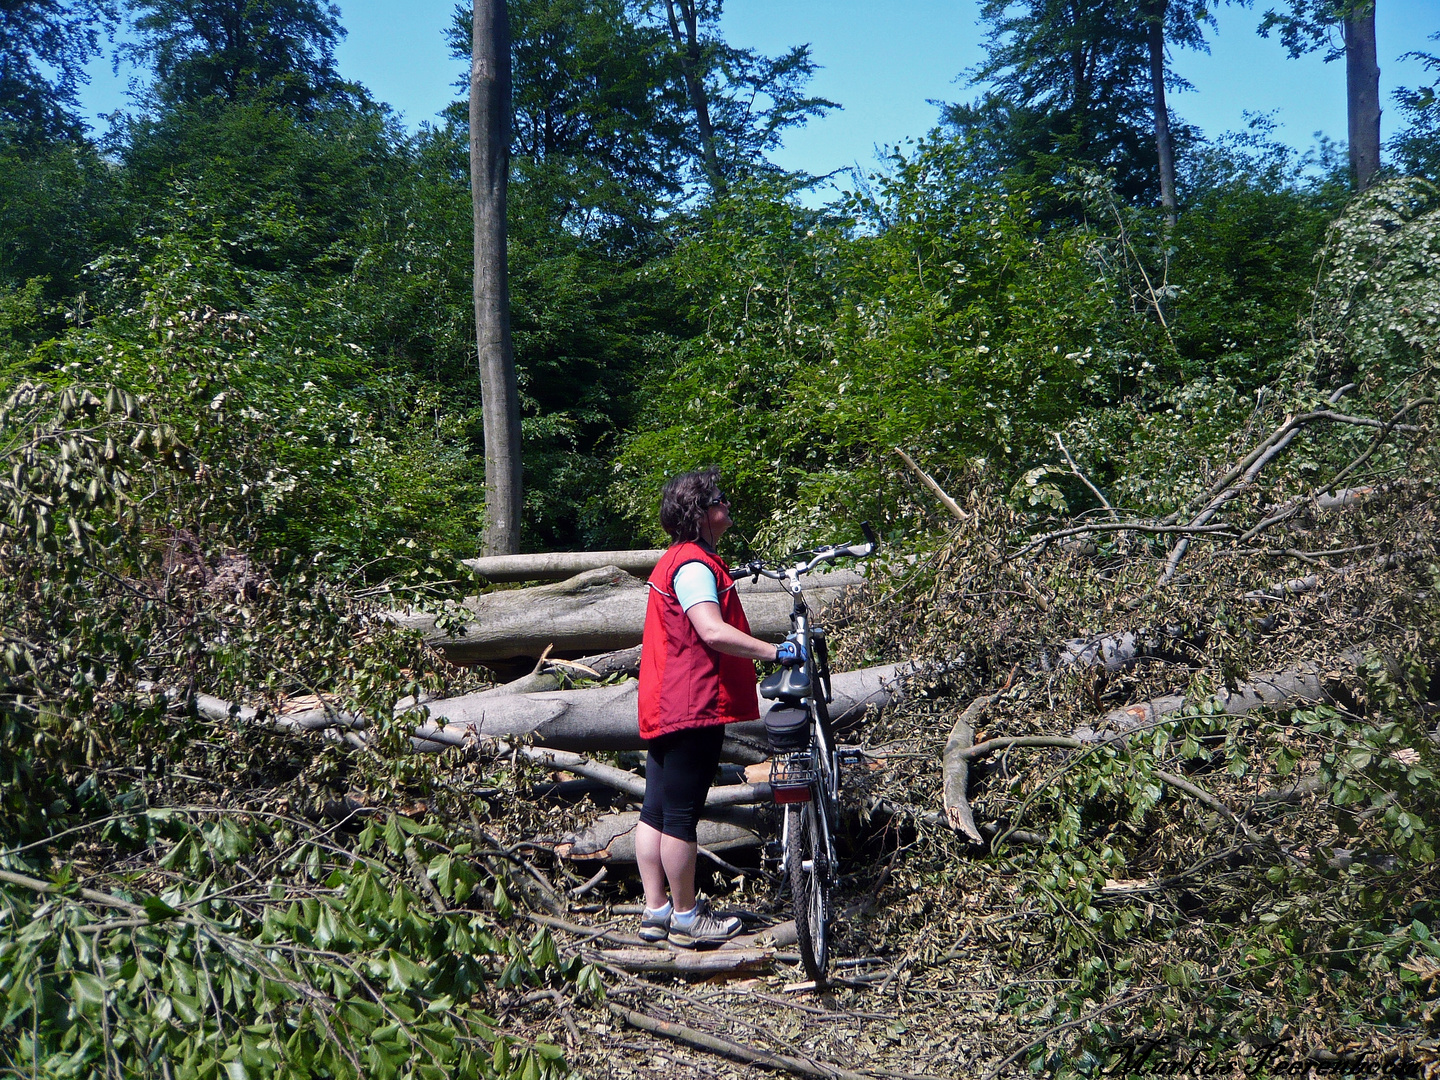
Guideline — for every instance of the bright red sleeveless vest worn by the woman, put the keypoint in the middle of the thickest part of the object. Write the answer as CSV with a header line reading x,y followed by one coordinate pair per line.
x,y
683,682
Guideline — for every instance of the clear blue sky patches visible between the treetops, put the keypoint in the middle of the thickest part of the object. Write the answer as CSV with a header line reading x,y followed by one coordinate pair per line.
x,y
883,63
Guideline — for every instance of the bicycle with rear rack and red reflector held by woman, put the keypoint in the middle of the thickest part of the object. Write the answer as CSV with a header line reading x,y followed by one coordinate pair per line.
x,y
807,760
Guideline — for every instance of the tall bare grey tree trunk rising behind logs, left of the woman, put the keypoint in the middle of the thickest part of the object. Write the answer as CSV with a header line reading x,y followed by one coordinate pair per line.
x,y
489,175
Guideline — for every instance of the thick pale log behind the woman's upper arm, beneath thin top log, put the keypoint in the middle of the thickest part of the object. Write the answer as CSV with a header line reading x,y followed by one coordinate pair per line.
x,y
598,611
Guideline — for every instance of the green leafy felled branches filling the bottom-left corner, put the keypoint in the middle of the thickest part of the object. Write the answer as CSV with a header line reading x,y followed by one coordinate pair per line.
x,y
328,966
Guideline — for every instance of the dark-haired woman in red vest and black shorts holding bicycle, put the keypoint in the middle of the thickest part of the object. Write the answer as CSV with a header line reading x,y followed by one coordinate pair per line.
x,y
696,676
